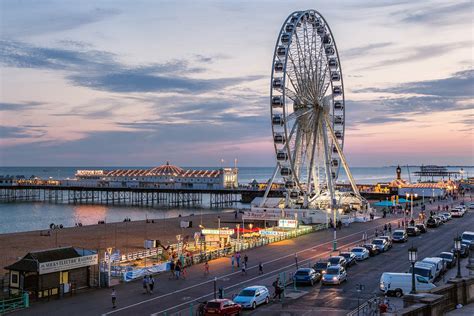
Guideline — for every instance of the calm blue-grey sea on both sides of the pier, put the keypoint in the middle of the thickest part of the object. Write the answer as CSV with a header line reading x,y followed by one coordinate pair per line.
x,y
27,216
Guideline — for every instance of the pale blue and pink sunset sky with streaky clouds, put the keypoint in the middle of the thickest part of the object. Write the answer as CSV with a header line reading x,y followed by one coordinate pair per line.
x,y
137,83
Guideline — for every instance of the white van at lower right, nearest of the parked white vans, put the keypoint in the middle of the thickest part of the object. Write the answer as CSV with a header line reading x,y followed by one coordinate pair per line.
x,y
399,284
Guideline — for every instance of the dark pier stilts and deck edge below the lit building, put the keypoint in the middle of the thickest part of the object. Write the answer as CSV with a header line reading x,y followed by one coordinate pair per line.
x,y
131,196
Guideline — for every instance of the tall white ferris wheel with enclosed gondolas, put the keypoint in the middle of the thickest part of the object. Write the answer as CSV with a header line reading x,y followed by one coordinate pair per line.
x,y
308,108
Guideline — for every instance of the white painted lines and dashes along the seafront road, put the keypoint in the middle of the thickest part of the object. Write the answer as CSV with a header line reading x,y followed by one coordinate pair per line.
x,y
238,272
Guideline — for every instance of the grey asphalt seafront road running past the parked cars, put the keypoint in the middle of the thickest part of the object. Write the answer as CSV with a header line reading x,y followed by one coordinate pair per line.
x,y
177,297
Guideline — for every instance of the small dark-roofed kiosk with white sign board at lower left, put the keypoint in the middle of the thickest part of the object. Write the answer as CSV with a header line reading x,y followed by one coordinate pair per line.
x,y
52,272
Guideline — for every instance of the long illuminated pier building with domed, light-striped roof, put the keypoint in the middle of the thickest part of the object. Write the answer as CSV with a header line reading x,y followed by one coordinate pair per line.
x,y
165,176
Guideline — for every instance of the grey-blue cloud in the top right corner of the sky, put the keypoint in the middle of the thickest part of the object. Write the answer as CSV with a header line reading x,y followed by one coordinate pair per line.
x,y
440,15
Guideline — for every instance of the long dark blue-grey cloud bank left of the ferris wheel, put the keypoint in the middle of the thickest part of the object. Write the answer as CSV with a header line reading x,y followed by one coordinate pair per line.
x,y
99,70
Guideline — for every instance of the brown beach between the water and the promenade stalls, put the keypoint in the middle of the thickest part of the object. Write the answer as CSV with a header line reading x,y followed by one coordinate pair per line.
x,y
126,236
